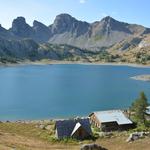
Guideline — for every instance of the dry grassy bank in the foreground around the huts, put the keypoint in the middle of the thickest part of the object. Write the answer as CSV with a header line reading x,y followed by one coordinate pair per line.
x,y
27,136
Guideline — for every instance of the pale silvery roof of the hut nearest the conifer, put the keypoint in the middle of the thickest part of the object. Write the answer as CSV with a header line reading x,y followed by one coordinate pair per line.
x,y
112,116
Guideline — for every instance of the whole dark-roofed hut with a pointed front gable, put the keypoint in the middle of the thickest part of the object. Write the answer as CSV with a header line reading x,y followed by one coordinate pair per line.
x,y
78,128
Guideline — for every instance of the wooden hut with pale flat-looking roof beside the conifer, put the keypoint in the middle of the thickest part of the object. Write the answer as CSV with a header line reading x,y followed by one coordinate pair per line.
x,y
110,120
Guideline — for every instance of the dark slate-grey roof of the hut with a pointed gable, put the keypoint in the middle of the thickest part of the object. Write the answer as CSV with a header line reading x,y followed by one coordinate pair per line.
x,y
65,128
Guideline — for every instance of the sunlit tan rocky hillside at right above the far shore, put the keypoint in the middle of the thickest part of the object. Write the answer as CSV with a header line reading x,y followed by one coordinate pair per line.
x,y
133,50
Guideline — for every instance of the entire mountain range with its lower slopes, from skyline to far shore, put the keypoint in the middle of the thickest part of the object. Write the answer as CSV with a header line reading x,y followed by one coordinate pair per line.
x,y
71,39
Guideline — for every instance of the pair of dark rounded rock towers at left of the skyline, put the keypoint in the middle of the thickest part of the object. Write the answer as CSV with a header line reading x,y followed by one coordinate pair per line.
x,y
39,32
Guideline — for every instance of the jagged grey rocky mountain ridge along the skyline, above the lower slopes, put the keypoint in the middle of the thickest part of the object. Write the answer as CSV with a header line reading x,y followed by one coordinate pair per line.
x,y
68,30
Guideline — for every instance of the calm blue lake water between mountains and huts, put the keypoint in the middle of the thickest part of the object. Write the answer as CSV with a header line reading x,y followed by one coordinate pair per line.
x,y
55,91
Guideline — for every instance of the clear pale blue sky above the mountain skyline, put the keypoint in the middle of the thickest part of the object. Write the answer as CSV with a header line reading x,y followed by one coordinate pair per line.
x,y
131,11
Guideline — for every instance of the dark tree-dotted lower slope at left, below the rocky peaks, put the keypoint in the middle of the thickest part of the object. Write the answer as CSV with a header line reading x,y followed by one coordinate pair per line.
x,y
14,51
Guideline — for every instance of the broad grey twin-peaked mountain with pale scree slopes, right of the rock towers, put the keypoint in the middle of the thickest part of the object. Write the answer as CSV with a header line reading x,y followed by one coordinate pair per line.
x,y
94,36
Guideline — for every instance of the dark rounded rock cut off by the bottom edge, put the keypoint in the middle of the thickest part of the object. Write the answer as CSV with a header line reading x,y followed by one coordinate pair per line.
x,y
92,147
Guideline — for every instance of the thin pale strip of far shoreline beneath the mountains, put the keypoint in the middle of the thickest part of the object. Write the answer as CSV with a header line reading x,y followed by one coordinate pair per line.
x,y
75,63
